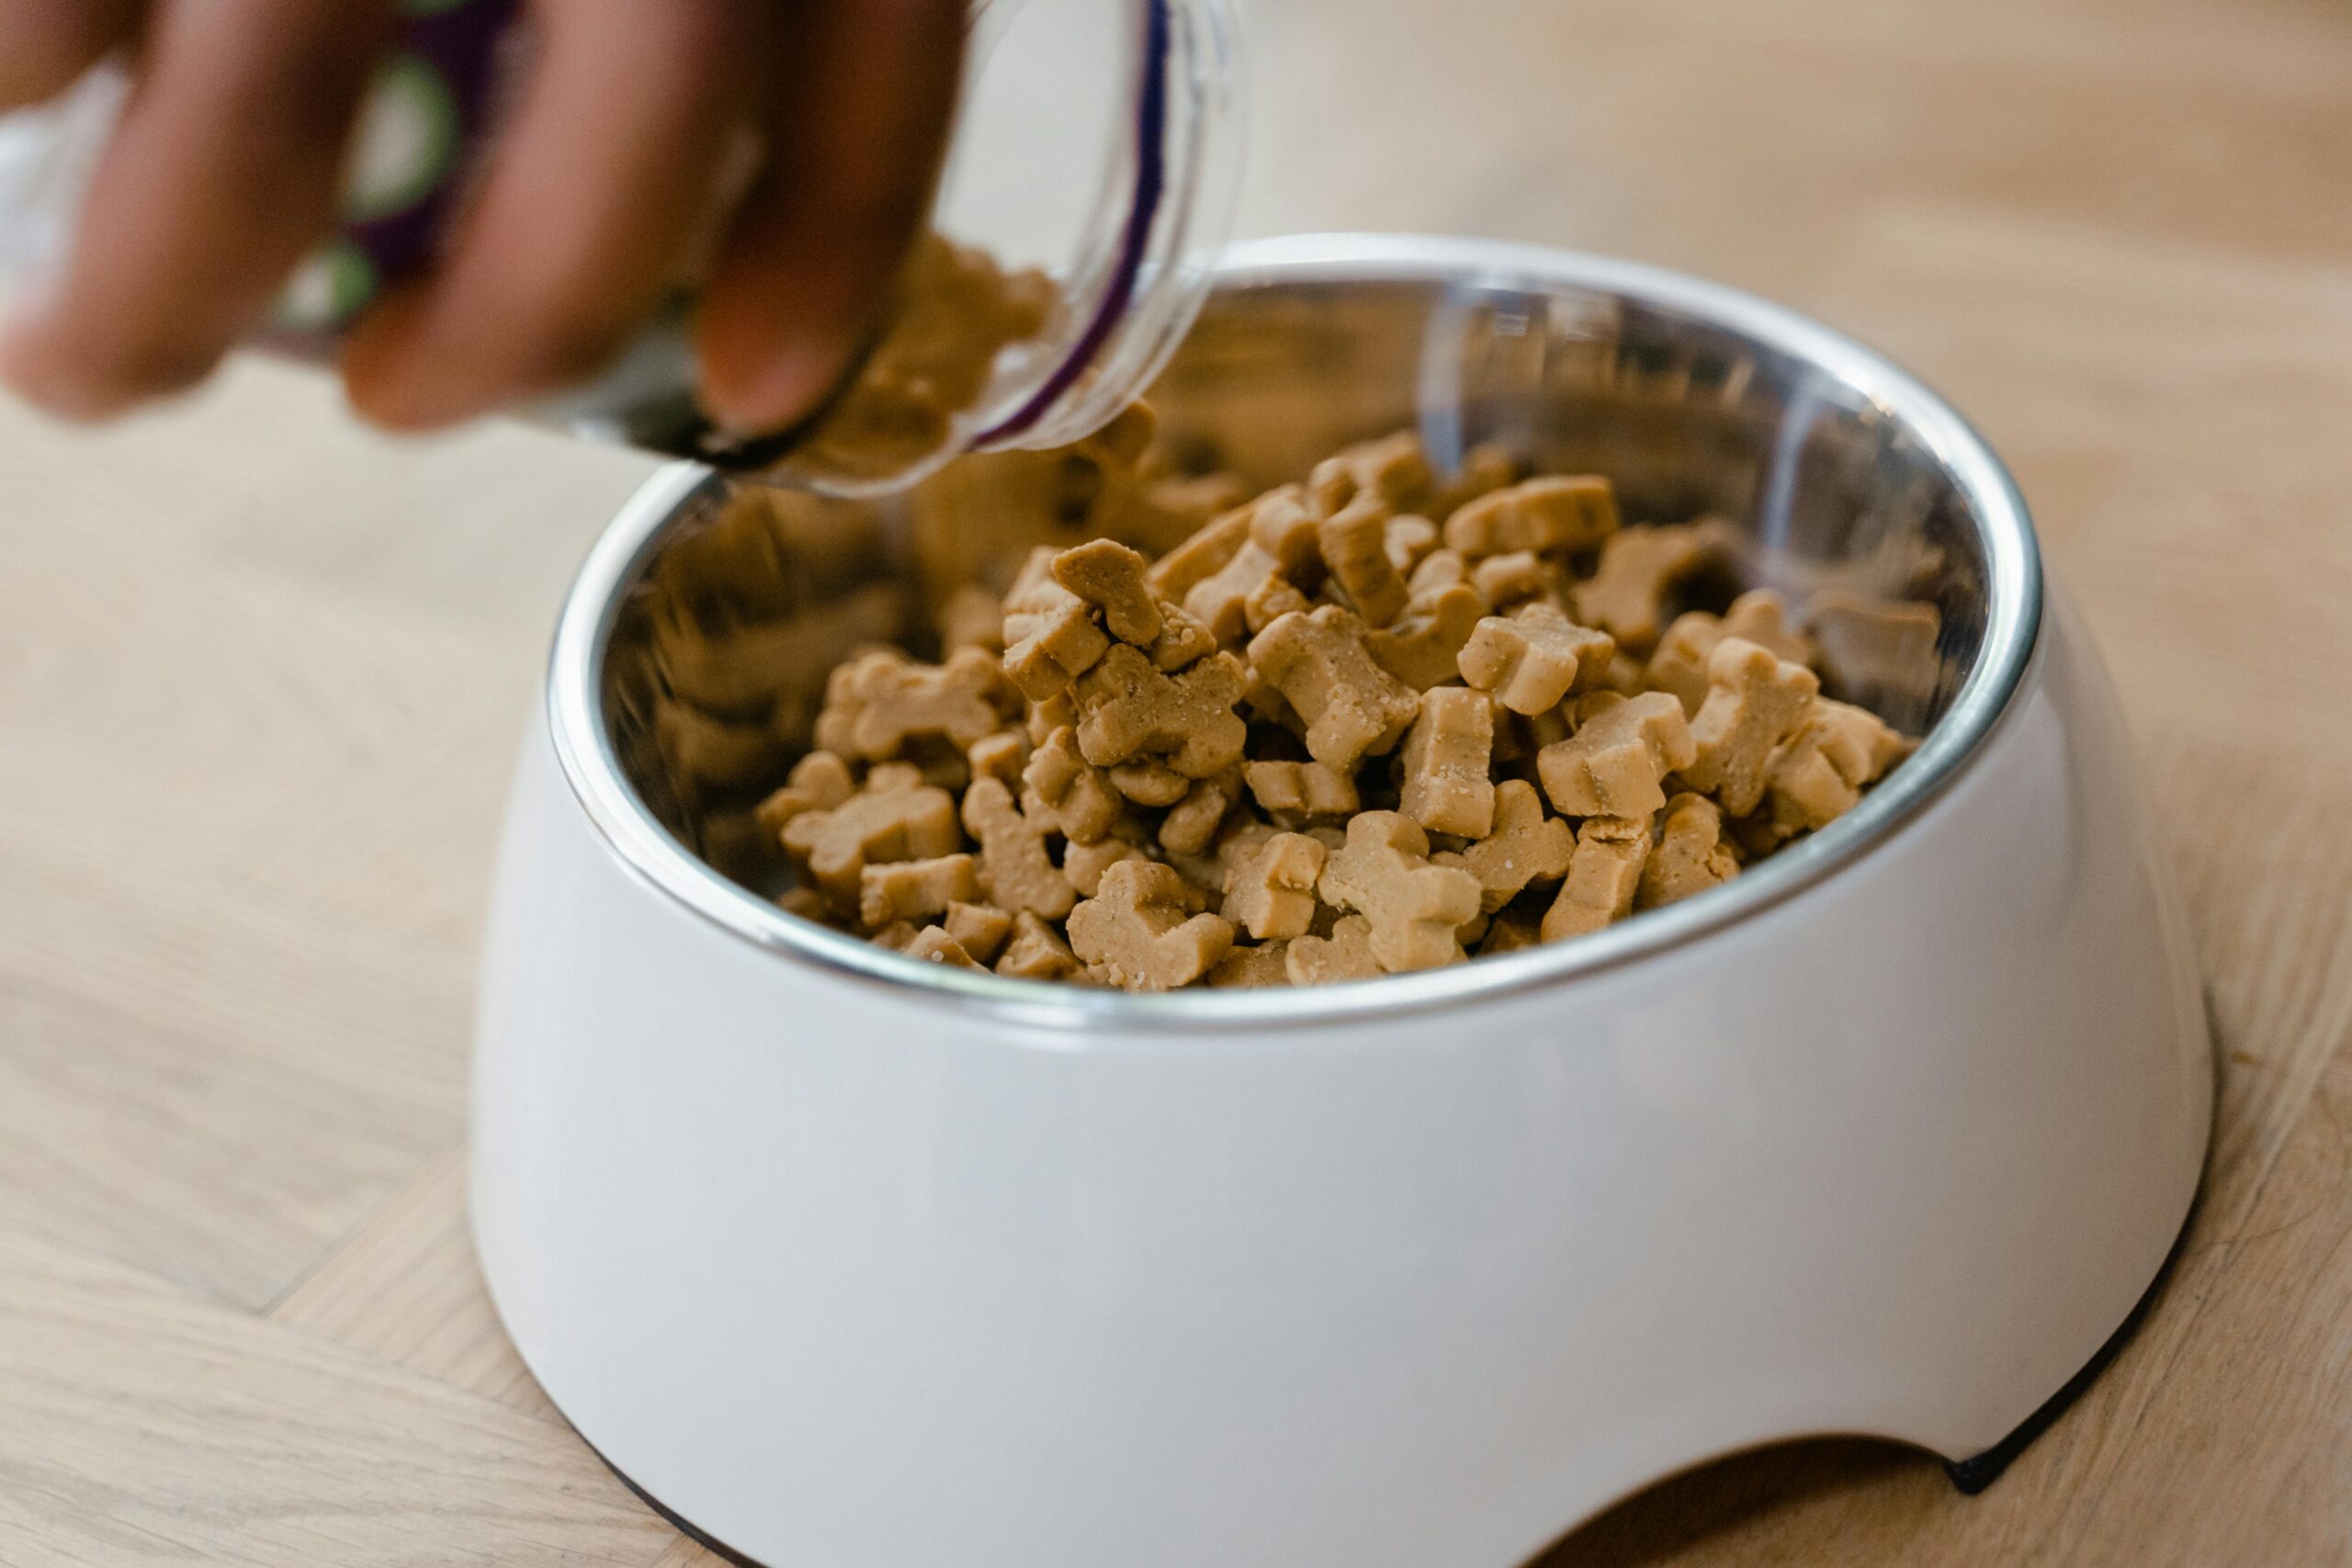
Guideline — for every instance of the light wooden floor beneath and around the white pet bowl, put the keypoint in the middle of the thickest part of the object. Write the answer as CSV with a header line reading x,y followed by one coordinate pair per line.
x,y
262,678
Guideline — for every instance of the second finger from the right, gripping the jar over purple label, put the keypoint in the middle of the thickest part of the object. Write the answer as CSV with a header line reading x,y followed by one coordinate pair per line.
x,y
589,210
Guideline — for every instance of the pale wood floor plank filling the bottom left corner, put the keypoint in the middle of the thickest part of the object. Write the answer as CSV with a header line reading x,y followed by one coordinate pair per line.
x,y
142,1426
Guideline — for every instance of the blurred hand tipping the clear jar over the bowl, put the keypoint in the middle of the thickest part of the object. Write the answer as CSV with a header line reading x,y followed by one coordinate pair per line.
x,y
782,152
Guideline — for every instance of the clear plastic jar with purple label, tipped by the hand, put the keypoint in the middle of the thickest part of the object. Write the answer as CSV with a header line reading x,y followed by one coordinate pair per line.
x,y
1093,168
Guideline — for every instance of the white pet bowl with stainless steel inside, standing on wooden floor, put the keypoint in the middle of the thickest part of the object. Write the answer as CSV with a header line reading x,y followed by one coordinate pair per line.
x,y
862,1264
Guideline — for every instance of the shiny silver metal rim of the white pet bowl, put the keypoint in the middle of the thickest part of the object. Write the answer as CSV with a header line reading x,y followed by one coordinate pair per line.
x,y
1069,1012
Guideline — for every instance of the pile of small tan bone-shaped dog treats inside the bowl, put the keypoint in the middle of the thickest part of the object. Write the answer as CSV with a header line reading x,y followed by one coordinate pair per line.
x,y
1363,725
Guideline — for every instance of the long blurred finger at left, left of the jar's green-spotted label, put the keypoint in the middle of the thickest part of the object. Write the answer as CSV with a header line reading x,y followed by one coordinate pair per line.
x,y
220,177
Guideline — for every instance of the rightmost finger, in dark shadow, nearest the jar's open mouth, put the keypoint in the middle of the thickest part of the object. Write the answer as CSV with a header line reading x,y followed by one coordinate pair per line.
x,y
855,145
